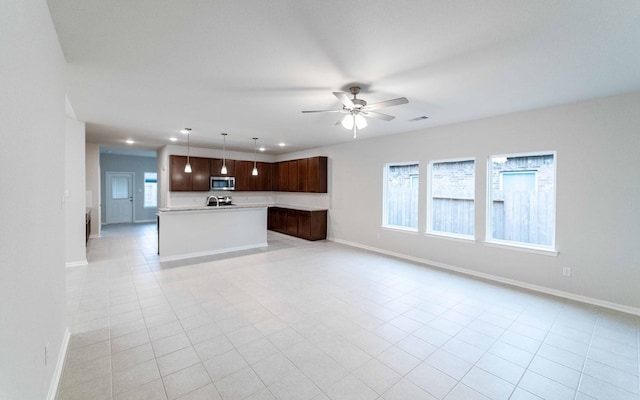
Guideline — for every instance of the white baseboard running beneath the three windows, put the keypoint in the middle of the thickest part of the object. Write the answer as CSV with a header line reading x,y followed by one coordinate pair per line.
x,y
512,282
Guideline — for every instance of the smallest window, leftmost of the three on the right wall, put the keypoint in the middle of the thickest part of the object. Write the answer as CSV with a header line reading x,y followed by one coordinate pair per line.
x,y
401,196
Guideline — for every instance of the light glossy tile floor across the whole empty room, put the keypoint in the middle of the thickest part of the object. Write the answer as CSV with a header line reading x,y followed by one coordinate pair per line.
x,y
319,320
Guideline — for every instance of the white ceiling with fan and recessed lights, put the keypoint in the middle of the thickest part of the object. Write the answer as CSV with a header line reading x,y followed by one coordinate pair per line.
x,y
144,69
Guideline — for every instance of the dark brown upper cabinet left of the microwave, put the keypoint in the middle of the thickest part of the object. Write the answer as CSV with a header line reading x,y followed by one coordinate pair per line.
x,y
196,181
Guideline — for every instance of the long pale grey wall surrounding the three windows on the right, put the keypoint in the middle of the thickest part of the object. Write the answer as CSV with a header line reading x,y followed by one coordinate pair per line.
x,y
598,187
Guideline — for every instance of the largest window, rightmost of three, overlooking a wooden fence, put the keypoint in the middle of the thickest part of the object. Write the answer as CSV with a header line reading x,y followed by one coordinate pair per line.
x,y
521,203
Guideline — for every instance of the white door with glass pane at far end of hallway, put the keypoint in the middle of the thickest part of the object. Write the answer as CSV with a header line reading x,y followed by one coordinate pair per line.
x,y
119,197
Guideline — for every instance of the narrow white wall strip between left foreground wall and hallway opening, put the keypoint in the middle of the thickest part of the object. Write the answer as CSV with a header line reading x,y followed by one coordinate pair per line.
x,y
75,192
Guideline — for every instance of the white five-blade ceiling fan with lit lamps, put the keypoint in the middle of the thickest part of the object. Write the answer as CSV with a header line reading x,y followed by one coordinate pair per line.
x,y
357,109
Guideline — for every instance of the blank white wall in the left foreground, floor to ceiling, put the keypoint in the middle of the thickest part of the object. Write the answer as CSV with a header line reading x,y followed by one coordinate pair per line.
x,y
32,181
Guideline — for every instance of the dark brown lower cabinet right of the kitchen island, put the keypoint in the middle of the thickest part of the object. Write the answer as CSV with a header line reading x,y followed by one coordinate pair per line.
x,y
310,225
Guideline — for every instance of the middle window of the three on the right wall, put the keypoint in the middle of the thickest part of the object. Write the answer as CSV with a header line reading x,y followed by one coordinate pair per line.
x,y
451,196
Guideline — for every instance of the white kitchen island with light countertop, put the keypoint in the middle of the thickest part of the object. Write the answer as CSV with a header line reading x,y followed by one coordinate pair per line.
x,y
188,232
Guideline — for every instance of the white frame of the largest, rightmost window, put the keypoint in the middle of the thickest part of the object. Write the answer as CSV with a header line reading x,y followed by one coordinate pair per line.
x,y
532,247
